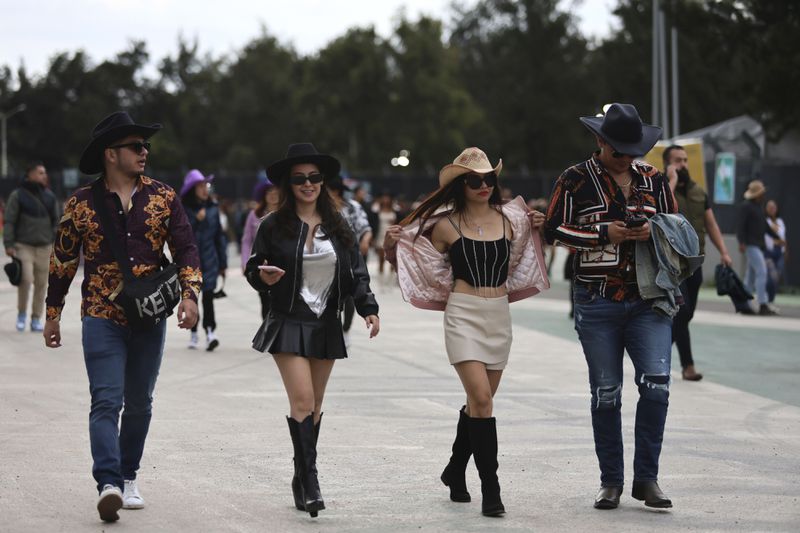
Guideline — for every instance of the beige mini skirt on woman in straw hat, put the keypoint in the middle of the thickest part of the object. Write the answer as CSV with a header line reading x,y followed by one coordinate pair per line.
x,y
477,329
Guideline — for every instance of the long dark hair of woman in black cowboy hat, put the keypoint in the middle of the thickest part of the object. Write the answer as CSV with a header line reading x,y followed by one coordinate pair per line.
x,y
333,224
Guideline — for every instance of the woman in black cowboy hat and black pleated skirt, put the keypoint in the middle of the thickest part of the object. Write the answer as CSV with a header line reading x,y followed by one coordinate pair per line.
x,y
307,257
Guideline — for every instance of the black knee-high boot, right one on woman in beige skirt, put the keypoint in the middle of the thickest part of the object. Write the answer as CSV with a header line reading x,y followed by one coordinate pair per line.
x,y
483,438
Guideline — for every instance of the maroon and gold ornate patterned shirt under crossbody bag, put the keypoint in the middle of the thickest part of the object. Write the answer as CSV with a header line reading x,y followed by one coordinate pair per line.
x,y
155,217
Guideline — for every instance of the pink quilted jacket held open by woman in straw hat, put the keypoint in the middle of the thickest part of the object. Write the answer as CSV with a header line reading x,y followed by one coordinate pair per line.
x,y
426,279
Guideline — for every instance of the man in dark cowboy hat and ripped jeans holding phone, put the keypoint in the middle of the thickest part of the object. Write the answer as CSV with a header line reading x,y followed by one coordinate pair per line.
x,y
599,208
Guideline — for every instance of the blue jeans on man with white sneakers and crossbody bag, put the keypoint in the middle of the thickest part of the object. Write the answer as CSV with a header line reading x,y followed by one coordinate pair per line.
x,y
122,369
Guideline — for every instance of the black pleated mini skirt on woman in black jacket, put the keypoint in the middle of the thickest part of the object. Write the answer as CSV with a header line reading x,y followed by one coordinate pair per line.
x,y
302,333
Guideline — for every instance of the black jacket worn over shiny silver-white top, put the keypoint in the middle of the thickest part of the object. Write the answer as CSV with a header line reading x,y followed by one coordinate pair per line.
x,y
272,244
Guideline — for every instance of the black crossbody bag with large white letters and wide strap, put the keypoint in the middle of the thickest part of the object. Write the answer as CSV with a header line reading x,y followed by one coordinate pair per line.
x,y
149,300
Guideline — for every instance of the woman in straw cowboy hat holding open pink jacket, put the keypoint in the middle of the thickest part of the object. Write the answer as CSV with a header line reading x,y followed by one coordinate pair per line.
x,y
465,252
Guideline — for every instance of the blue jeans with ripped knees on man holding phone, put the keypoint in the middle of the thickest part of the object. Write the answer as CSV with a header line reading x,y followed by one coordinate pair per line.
x,y
606,329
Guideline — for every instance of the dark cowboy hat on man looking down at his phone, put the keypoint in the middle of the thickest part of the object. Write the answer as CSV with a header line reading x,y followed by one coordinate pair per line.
x,y
622,128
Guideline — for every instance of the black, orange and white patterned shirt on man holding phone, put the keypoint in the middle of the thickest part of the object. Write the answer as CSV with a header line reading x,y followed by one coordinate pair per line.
x,y
585,200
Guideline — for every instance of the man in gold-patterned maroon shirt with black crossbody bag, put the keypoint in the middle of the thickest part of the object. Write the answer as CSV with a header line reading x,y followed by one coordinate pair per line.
x,y
122,367
